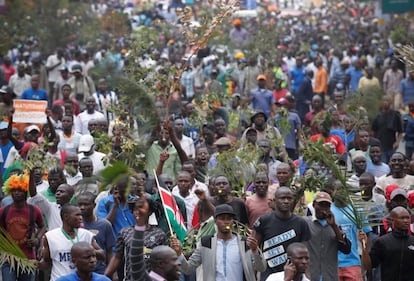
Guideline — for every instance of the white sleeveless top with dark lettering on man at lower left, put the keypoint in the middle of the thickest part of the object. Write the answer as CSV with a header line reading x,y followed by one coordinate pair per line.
x,y
59,247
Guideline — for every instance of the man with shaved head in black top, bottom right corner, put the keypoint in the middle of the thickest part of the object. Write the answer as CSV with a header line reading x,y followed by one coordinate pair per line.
x,y
394,251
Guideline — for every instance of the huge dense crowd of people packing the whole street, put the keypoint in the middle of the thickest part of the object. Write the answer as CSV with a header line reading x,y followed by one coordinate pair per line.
x,y
74,226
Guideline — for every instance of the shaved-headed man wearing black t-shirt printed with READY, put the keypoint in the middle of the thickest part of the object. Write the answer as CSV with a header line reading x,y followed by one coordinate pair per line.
x,y
276,230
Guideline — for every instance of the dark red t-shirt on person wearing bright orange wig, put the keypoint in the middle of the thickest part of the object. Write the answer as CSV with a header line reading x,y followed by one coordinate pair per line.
x,y
18,226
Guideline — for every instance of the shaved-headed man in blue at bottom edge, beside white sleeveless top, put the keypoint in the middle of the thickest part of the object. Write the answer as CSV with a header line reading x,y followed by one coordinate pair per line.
x,y
84,259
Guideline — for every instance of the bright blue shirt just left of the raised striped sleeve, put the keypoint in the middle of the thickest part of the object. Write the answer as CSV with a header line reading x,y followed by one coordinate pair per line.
x,y
123,218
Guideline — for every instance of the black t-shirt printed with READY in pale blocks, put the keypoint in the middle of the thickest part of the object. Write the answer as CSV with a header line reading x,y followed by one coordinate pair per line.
x,y
277,235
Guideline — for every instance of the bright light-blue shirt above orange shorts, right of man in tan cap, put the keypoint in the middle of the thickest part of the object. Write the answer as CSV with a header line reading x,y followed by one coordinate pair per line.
x,y
351,231
